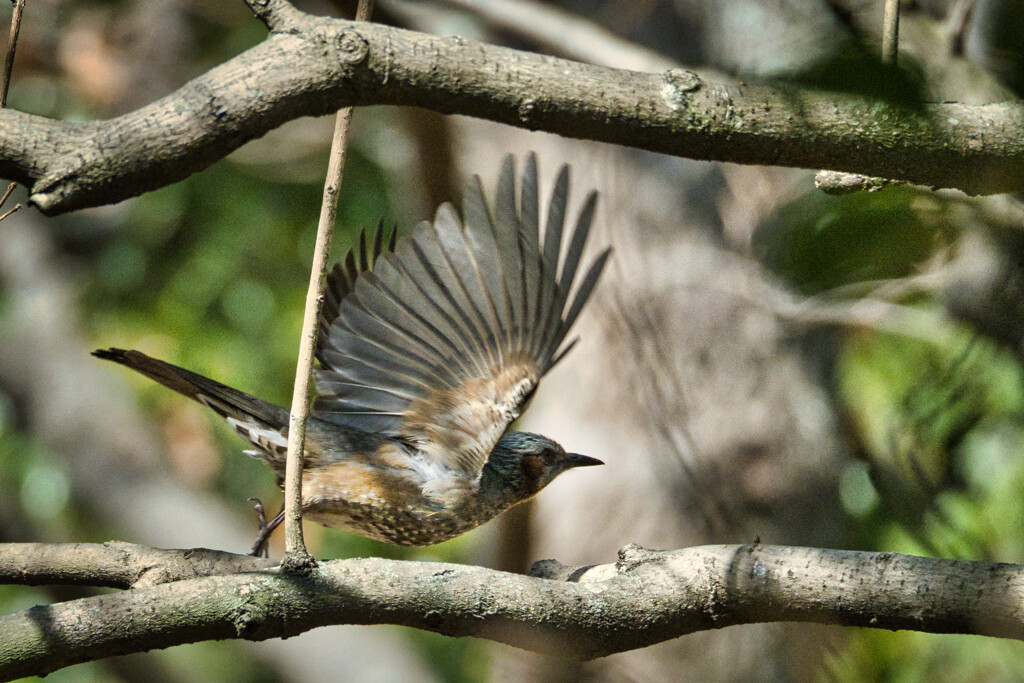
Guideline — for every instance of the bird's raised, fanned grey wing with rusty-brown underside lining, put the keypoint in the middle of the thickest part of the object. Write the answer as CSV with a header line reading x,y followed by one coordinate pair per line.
x,y
441,341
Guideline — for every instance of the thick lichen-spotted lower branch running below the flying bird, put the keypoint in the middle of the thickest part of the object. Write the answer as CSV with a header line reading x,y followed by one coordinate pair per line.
x,y
647,597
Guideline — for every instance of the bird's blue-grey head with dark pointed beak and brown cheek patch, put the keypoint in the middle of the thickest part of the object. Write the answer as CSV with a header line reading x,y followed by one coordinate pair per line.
x,y
522,464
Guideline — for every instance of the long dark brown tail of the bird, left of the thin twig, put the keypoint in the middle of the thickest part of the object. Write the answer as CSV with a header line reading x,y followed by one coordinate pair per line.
x,y
263,423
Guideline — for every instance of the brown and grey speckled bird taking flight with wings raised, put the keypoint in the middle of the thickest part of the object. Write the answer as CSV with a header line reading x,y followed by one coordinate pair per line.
x,y
430,348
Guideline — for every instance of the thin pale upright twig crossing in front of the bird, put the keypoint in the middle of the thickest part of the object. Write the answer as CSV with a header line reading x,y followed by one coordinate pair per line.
x,y
296,557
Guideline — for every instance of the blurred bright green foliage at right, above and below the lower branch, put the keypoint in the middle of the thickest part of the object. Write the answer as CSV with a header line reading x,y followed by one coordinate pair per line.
x,y
942,429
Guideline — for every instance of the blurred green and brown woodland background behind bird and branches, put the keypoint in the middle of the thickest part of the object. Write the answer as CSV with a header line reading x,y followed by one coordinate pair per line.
x,y
763,361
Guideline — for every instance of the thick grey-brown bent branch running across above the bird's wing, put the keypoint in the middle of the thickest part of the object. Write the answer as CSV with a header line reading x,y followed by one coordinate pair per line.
x,y
314,66
